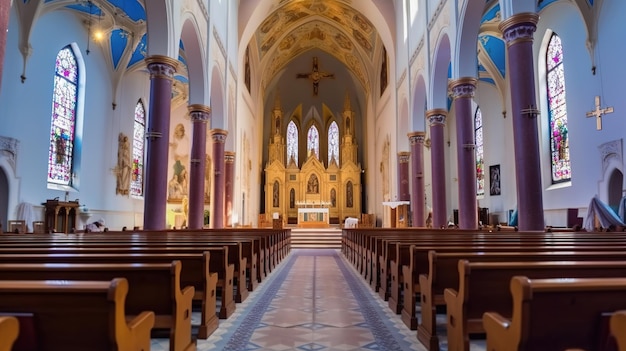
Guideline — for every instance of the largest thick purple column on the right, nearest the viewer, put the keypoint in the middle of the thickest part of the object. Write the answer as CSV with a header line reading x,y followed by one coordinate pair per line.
x,y
518,33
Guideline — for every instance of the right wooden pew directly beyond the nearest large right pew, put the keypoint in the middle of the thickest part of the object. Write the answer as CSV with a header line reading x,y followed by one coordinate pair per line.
x,y
483,287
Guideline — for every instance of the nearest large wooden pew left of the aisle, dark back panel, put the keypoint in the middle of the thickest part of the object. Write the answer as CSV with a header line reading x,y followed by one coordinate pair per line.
x,y
78,315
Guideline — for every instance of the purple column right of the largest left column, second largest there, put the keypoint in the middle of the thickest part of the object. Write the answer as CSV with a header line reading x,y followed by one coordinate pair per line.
x,y
200,115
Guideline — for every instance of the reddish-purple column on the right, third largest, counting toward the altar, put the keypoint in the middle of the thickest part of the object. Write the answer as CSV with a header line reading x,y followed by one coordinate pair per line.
x,y
437,121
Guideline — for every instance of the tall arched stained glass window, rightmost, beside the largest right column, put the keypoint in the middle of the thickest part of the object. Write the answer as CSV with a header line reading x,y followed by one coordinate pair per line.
x,y
559,137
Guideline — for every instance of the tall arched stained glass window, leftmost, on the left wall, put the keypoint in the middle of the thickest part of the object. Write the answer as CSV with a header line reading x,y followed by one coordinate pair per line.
x,y
63,118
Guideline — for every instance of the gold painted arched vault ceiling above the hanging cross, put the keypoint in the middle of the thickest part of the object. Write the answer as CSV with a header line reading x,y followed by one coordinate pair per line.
x,y
294,27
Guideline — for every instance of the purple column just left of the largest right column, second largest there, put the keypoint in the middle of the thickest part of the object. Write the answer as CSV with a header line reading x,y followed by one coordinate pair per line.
x,y
463,93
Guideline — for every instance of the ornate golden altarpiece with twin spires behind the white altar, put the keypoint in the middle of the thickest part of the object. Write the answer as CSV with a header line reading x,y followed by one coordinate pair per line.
x,y
314,194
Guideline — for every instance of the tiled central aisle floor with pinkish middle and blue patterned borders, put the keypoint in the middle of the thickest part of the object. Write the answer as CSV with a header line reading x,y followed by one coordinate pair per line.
x,y
315,300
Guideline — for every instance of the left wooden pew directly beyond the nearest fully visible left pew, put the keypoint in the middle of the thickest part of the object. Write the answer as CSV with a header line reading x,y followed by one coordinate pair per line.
x,y
152,287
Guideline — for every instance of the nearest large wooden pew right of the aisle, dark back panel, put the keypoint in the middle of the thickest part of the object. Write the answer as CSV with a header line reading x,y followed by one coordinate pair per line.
x,y
554,314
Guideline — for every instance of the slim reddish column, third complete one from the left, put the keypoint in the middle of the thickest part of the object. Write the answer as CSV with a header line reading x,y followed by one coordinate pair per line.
x,y
217,205
